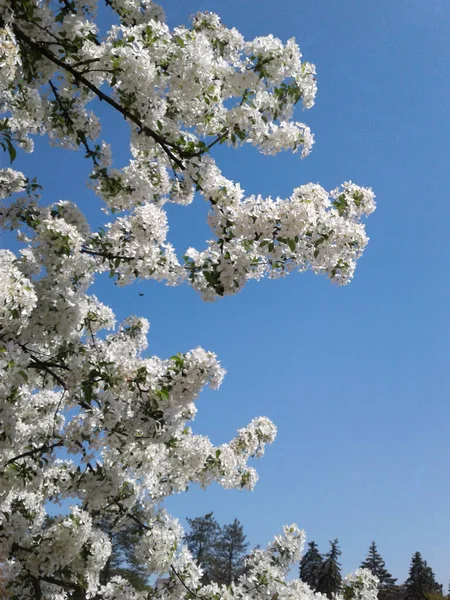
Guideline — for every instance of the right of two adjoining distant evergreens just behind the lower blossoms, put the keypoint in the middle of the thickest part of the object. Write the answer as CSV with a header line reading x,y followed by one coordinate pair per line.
x,y
231,549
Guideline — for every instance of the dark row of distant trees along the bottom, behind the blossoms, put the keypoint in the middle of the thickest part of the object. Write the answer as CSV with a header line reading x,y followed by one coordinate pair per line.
x,y
221,552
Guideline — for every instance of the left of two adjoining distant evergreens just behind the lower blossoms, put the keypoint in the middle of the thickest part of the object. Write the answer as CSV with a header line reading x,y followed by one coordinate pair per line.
x,y
202,542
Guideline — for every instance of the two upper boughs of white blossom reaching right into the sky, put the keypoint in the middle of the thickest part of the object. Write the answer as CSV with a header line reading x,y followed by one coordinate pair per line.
x,y
182,91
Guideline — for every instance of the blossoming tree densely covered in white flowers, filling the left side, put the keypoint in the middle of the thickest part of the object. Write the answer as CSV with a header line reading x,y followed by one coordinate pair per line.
x,y
85,416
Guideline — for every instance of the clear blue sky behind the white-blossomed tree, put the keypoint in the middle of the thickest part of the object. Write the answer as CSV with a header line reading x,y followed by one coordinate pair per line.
x,y
355,378
